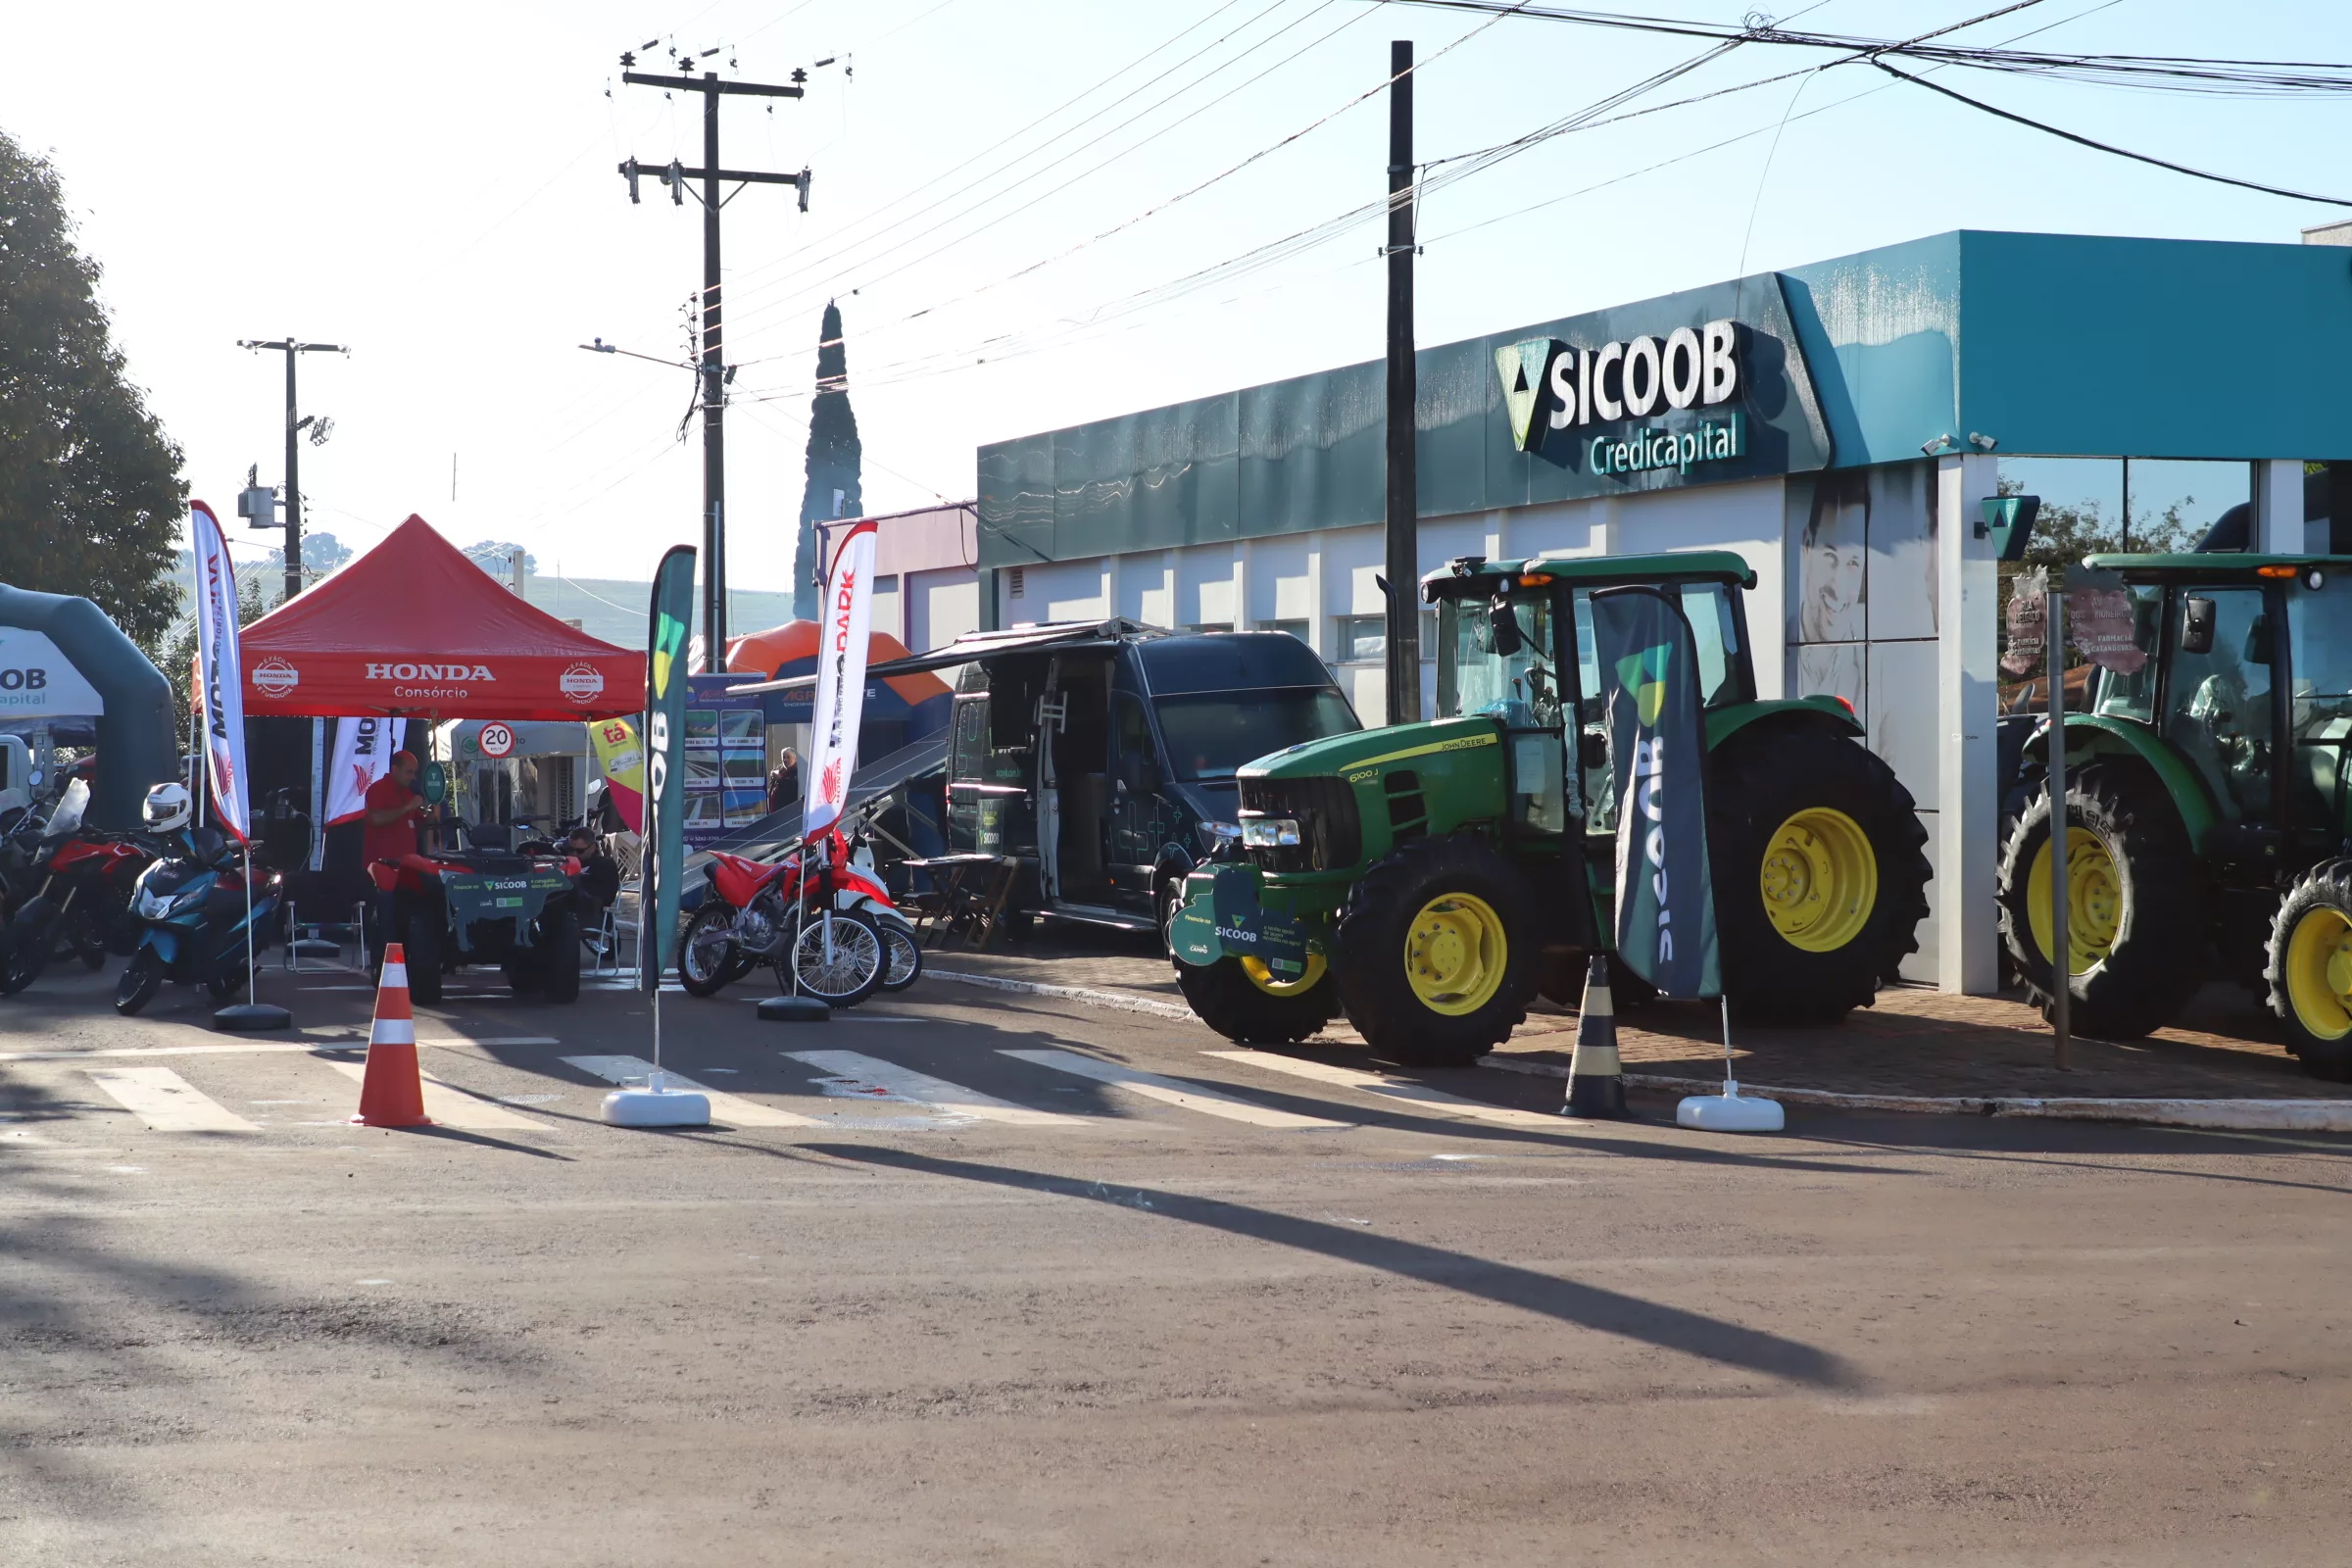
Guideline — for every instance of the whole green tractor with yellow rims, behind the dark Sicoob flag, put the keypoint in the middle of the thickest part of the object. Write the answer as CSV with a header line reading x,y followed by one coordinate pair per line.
x,y
1431,878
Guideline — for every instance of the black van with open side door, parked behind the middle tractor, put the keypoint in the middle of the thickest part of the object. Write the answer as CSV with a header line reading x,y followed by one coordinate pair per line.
x,y
1104,756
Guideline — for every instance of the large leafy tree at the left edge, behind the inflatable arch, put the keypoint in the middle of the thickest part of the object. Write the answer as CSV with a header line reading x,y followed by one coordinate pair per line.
x,y
91,492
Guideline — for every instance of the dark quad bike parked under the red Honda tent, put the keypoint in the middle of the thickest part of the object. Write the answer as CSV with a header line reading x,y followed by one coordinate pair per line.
x,y
460,909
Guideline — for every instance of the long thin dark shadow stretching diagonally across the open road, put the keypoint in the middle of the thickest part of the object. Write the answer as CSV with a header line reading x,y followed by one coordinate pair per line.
x,y
1499,1282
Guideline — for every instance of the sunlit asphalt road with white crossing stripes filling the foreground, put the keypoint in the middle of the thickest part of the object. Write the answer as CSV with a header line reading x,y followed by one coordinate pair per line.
x,y
928,1301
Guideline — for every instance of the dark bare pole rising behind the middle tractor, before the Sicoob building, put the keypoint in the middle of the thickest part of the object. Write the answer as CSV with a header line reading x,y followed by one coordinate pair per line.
x,y
1403,481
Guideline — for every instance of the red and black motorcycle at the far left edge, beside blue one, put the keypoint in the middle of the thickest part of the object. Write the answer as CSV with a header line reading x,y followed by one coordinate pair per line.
x,y
72,892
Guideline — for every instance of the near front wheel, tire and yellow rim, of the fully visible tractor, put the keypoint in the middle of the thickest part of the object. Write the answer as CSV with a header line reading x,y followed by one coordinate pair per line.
x,y
1436,953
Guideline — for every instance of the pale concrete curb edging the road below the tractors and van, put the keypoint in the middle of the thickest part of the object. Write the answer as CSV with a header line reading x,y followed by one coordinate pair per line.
x,y
2219,1115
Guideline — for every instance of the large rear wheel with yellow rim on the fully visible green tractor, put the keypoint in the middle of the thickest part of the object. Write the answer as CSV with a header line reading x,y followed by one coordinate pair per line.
x,y
1760,786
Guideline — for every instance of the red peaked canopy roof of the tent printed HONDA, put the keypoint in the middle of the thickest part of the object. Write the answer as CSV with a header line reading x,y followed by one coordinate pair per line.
x,y
417,629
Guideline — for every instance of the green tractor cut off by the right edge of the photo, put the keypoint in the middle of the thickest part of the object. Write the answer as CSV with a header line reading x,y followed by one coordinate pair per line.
x,y
2207,810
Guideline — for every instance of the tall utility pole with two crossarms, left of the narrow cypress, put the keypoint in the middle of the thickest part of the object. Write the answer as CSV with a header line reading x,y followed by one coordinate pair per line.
x,y
714,359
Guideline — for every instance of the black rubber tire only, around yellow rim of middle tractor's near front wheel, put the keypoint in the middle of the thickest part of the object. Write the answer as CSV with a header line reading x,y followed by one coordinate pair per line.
x,y
1379,925
